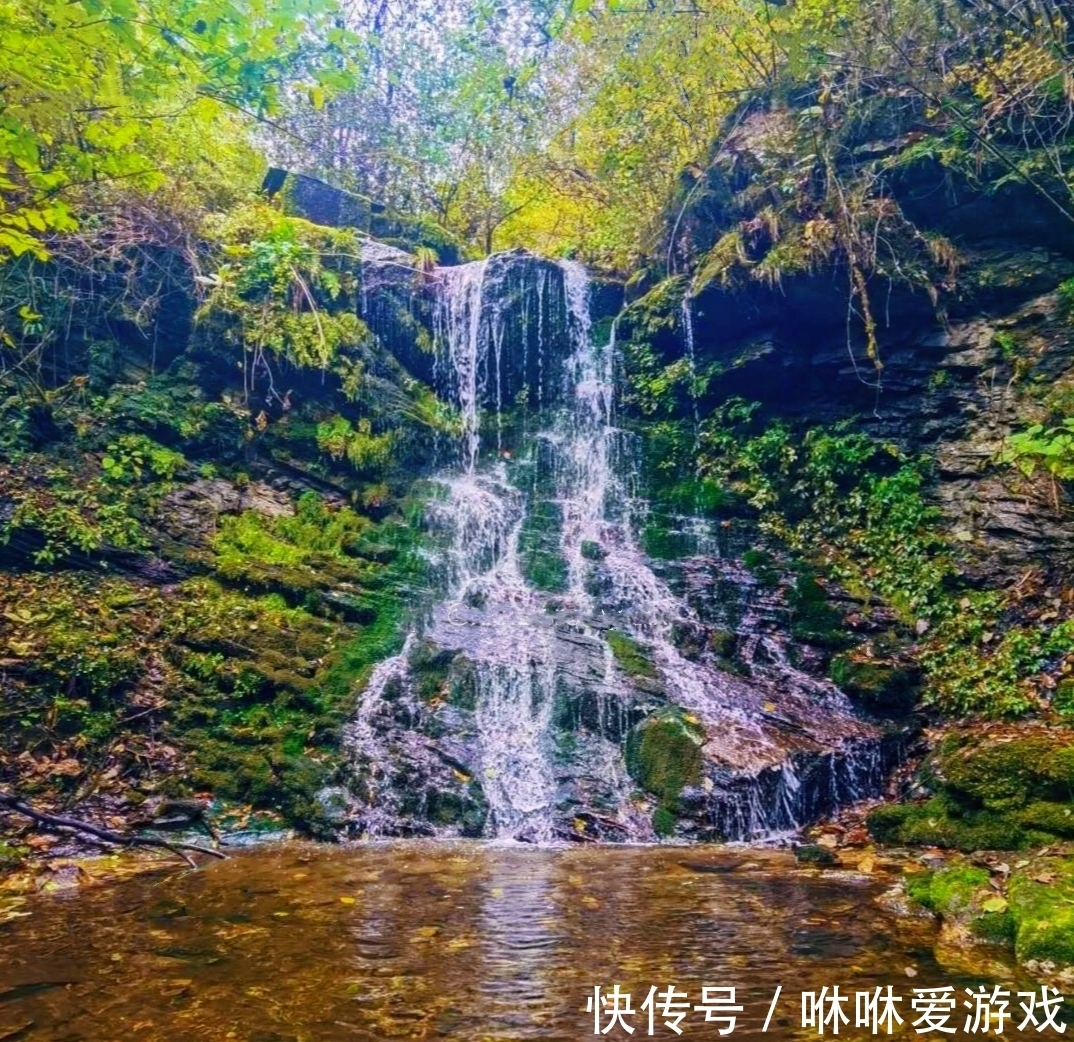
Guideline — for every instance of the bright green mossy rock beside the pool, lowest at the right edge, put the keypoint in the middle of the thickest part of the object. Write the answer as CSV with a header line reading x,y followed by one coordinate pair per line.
x,y
1042,904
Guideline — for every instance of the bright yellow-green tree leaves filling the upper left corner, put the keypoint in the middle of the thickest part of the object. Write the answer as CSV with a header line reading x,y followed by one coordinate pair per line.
x,y
99,98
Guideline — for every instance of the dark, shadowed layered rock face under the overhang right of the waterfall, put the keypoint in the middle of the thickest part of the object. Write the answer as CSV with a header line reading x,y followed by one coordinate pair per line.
x,y
995,355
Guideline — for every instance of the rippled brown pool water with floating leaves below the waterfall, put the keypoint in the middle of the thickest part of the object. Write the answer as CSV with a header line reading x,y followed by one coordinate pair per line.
x,y
438,942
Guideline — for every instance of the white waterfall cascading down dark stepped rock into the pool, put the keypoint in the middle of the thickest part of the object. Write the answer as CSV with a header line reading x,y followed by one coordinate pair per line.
x,y
507,714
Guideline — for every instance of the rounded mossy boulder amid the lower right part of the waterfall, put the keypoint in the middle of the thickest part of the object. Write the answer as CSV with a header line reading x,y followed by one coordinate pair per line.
x,y
664,755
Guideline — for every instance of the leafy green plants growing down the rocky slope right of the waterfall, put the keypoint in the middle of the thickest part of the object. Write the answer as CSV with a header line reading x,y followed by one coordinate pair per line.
x,y
858,511
